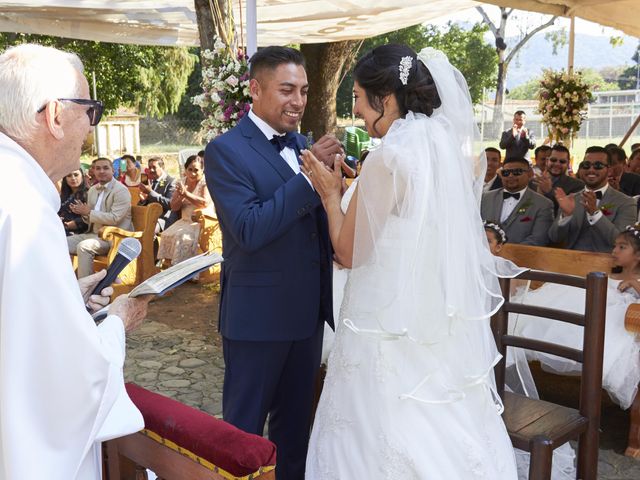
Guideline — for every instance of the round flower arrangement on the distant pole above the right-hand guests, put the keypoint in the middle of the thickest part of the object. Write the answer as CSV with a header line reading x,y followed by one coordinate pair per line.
x,y
562,101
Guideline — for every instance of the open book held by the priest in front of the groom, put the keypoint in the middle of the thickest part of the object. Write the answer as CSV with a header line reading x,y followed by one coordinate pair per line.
x,y
170,278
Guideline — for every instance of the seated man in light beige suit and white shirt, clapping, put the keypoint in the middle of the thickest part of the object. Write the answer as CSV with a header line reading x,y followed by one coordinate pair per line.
x,y
108,204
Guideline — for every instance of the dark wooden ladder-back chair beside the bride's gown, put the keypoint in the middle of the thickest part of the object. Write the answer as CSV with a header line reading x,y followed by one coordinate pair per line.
x,y
540,427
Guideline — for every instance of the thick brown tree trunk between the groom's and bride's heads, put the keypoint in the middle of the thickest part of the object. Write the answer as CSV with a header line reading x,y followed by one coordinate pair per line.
x,y
325,63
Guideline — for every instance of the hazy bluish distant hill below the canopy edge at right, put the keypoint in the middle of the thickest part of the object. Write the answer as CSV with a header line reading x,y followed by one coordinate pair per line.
x,y
591,51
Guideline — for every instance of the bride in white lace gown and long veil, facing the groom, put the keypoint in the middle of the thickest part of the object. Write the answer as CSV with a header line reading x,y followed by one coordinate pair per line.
x,y
409,392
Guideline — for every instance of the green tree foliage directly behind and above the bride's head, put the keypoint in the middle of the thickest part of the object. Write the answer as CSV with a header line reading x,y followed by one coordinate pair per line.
x,y
466,50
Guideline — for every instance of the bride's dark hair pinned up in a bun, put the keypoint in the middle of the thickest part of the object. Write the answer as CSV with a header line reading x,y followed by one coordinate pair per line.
x,y
378,73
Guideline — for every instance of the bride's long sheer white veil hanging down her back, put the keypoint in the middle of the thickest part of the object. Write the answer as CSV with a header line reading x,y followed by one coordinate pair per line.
x,y
419,232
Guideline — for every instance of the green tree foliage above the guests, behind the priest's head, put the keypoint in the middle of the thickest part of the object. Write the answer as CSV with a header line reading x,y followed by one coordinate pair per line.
x,y
151,79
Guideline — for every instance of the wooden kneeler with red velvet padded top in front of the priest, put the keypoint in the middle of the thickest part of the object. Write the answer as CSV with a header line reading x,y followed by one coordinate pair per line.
x,y
180,442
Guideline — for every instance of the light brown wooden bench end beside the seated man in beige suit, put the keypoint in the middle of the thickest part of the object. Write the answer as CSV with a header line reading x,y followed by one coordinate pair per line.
x,y
144,220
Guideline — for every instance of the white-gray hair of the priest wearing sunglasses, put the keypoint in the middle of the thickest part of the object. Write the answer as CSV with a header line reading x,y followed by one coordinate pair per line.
x,y
30,77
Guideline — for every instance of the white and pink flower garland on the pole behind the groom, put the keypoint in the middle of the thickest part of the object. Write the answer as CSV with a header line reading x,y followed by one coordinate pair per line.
x,y
225,84
